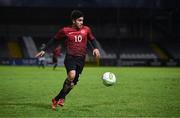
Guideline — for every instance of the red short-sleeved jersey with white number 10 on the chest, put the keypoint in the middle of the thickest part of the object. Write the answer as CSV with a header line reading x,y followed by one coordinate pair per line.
x,y
76,40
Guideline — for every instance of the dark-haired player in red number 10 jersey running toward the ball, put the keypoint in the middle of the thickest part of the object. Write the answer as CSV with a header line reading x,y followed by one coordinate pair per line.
x,y
76,37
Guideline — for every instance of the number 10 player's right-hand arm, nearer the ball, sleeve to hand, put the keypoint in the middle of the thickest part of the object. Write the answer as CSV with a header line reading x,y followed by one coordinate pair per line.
x,y
93,42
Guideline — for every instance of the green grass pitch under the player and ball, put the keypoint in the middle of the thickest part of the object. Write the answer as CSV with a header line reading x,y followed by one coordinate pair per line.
x,y
139,92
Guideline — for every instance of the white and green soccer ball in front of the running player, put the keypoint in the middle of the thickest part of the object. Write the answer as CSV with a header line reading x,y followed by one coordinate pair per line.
x,y
109,78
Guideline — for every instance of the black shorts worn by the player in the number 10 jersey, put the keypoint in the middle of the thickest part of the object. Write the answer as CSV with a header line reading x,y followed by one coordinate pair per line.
x,y
74,63
